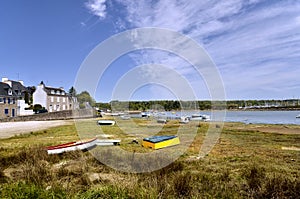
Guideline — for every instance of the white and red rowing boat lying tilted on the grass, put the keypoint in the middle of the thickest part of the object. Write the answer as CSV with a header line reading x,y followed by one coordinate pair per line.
x,y
72,146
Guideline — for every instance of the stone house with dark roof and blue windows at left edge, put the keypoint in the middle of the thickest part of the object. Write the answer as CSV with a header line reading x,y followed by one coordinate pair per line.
x,y
8,101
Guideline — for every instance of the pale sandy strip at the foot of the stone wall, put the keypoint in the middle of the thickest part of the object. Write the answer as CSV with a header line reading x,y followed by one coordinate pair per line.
x,y
9,129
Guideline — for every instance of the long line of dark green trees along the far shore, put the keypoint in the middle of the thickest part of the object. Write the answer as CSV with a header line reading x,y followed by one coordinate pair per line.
x,y
174,105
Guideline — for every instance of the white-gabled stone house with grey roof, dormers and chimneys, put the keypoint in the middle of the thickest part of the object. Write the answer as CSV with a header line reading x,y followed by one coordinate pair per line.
x,y
54,99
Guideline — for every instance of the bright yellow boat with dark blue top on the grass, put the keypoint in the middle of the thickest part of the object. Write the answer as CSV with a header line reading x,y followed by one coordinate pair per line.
x,y
158,142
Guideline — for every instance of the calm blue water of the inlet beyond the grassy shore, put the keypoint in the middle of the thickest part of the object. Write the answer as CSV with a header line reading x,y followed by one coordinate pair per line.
x,y
266,117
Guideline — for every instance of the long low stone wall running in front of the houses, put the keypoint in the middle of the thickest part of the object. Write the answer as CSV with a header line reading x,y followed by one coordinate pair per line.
x,y
61,115
